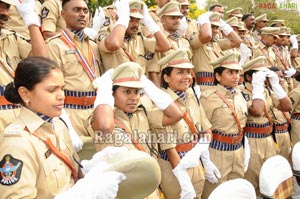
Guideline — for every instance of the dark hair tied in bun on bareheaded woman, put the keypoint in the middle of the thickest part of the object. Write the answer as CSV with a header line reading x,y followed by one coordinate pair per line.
x,y
29,72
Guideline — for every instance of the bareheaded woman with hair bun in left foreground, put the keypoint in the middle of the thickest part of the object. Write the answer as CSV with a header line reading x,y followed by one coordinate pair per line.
x,y
29,167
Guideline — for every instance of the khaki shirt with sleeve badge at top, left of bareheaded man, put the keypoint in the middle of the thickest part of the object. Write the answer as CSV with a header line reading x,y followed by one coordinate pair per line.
x,y
52,21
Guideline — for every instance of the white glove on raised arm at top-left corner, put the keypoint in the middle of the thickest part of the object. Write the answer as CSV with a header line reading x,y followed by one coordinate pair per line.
x,y
26,11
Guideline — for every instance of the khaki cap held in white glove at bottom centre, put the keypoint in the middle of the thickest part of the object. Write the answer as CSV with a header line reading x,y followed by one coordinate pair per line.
x,y
142,174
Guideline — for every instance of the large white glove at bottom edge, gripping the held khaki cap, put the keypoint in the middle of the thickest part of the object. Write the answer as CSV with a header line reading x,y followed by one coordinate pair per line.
x,y
96,184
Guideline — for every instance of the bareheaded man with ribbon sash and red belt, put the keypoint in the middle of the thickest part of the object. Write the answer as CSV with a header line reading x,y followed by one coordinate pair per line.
x,y
79,59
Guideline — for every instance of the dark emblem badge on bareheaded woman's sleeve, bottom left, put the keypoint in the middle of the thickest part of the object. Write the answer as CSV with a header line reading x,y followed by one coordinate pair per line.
x,y
10,170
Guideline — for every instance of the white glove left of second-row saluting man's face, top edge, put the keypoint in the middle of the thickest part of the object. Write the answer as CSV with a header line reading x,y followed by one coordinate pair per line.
x,y
123,12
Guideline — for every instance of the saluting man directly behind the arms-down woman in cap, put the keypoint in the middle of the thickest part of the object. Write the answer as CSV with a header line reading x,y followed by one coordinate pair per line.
x,y
206,53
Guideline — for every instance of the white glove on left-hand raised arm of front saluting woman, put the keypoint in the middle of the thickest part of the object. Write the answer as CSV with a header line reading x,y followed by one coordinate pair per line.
x,y
104,91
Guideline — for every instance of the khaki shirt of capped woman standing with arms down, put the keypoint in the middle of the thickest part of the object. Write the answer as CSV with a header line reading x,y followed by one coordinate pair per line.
x,y
219,114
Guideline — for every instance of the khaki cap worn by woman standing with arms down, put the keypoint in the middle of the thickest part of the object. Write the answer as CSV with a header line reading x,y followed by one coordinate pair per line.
x,y
230,61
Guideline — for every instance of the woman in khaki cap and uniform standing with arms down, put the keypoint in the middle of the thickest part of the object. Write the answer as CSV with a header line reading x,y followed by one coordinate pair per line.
x,y
226,103
